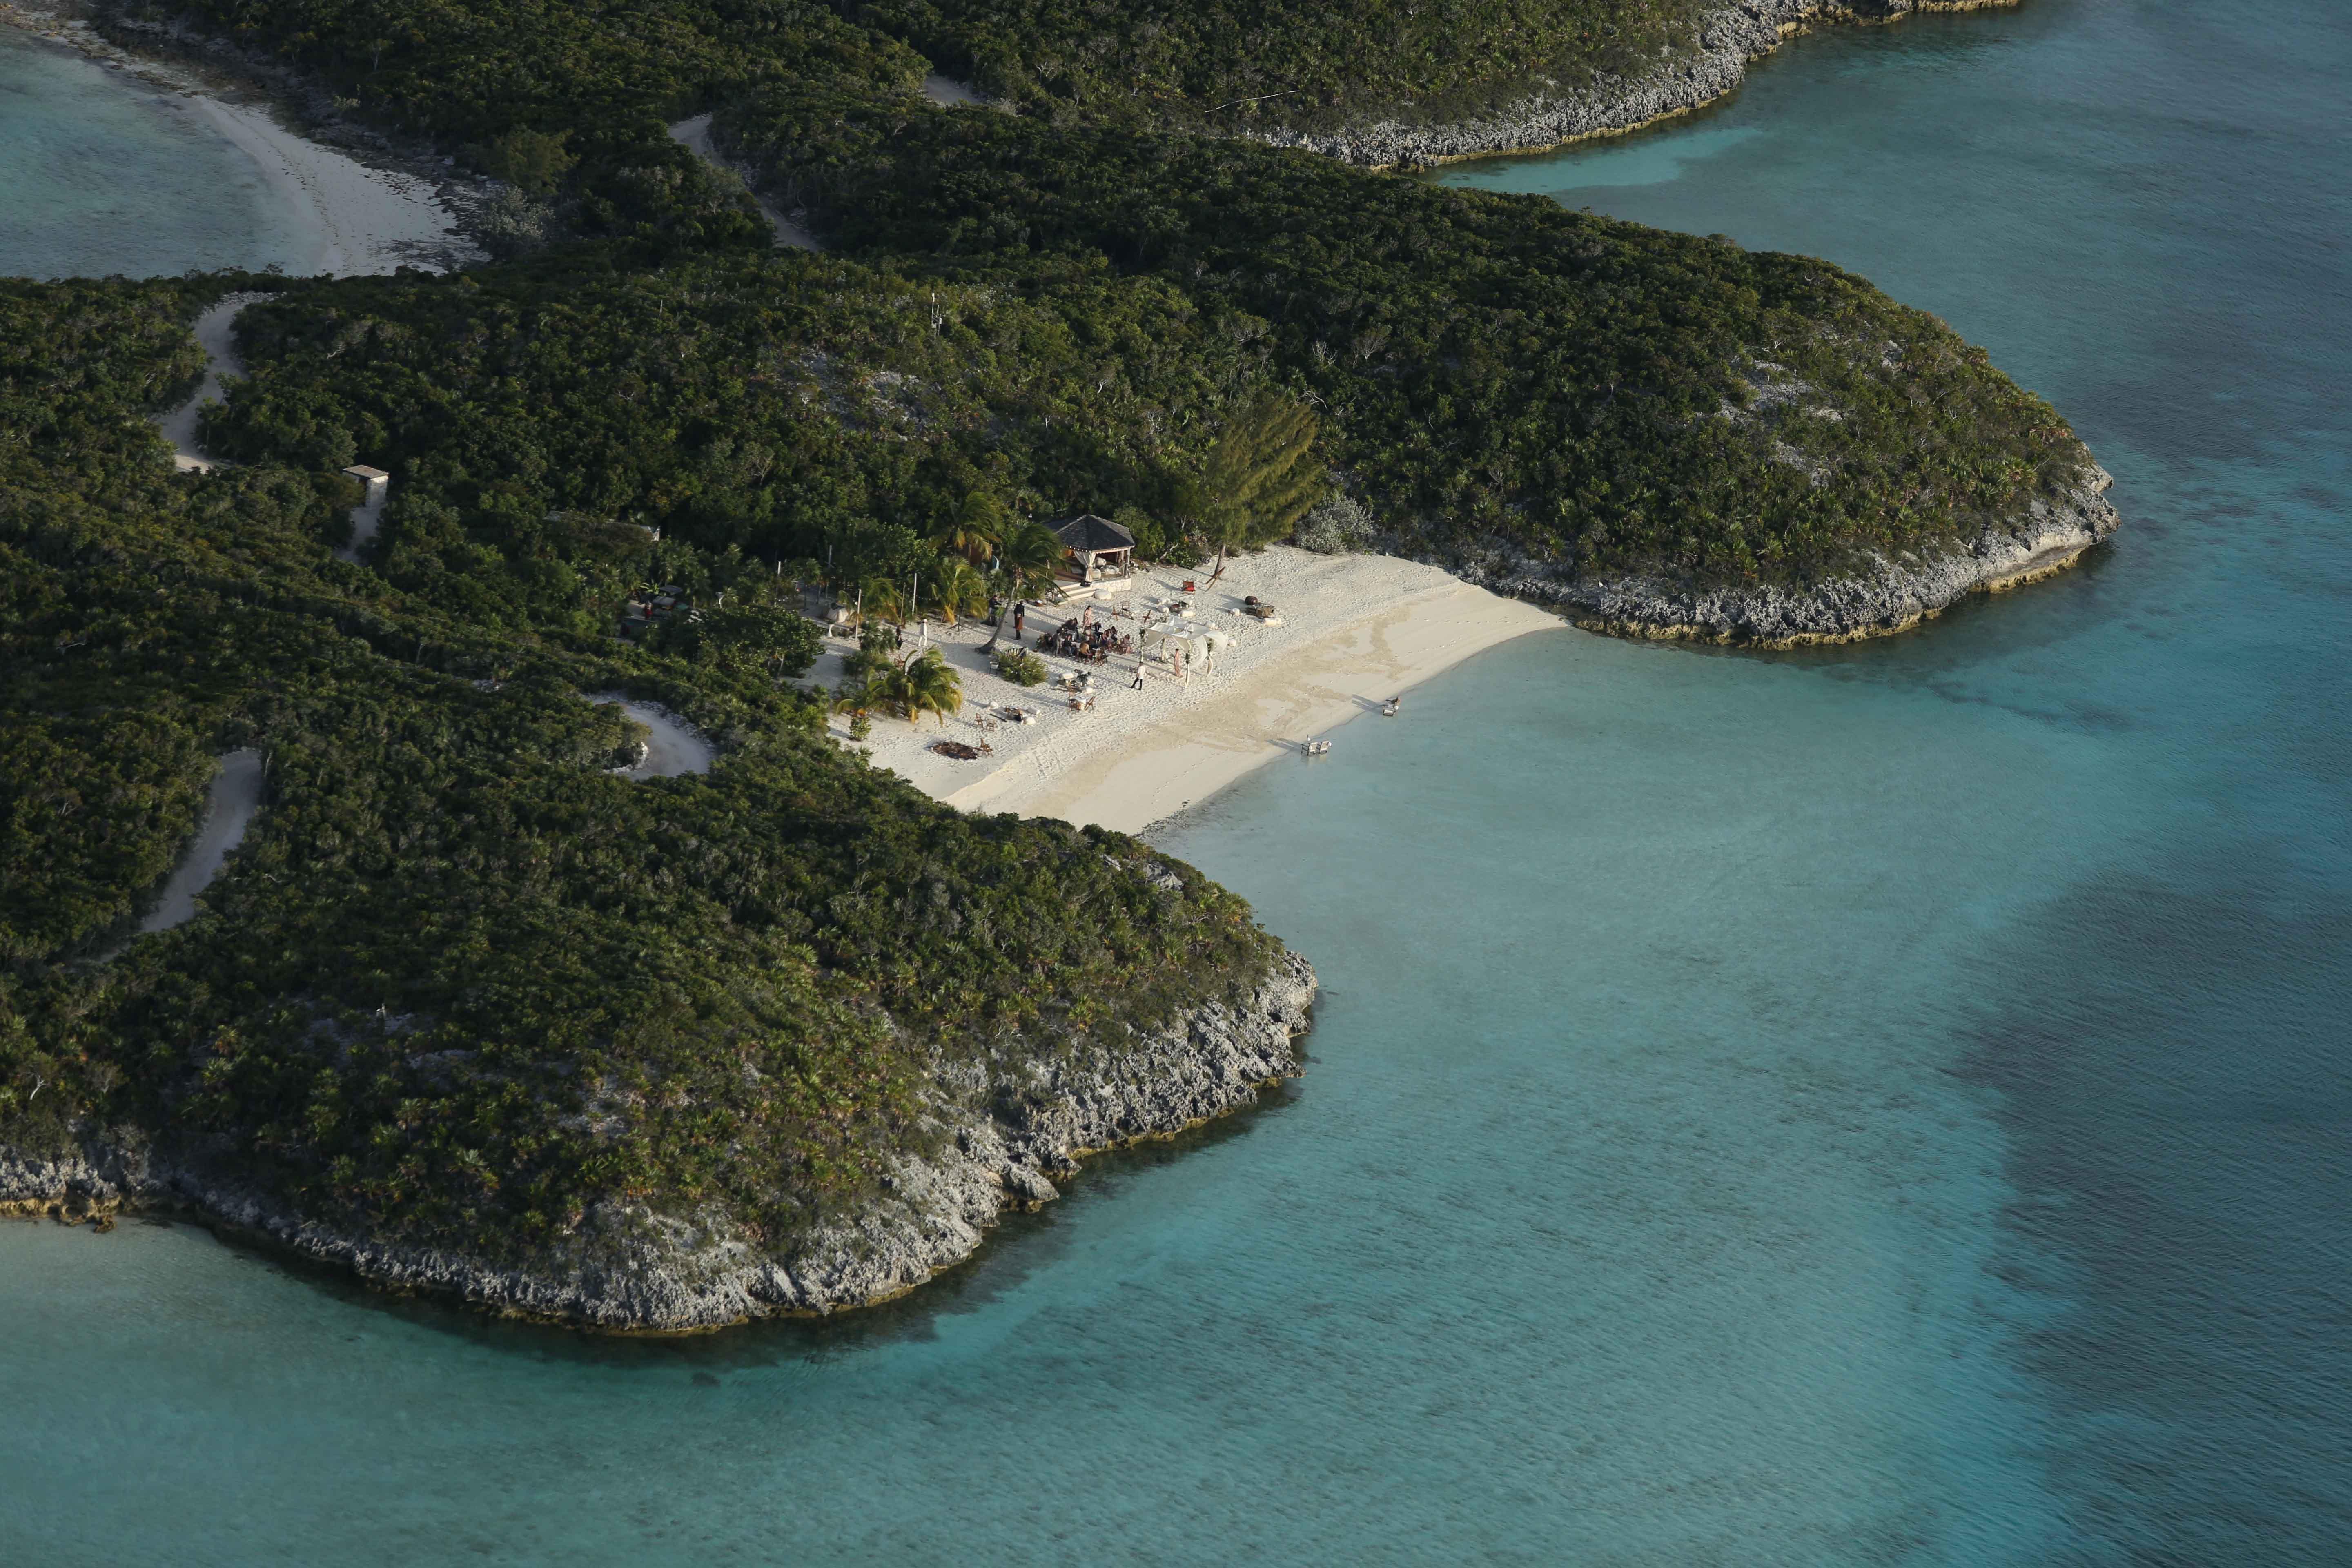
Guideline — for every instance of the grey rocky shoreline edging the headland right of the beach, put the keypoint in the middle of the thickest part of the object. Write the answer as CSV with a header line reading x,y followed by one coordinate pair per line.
x,y
1883,598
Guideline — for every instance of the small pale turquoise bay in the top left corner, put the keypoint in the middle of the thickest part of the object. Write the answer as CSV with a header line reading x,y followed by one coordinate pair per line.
x,y
109,175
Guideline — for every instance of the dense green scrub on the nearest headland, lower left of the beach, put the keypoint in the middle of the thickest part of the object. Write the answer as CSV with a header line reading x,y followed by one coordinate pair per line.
x,y
465,981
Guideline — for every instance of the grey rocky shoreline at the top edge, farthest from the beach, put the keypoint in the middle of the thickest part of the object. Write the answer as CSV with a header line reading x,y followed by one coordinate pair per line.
x,y
1730,39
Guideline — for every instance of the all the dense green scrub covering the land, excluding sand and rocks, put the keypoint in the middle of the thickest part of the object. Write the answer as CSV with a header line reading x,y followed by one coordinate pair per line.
x,y
465,979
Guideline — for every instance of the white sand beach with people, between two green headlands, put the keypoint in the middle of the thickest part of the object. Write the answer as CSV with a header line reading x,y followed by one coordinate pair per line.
x,y
1356,631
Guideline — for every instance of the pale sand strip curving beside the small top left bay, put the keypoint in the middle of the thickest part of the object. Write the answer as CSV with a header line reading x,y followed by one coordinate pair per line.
x,y
363,220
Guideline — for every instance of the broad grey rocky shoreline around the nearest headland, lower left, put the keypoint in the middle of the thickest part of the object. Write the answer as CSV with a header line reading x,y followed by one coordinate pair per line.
x,y
632,1271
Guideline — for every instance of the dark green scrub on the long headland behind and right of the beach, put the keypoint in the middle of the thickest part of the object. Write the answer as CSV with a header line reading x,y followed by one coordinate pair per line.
x,y
1490,368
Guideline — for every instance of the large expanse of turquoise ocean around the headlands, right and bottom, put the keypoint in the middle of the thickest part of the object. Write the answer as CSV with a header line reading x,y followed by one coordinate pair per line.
x,y
1871,1106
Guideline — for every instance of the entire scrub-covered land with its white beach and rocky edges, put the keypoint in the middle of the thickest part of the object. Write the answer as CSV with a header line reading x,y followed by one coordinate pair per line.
x,y
575,958
